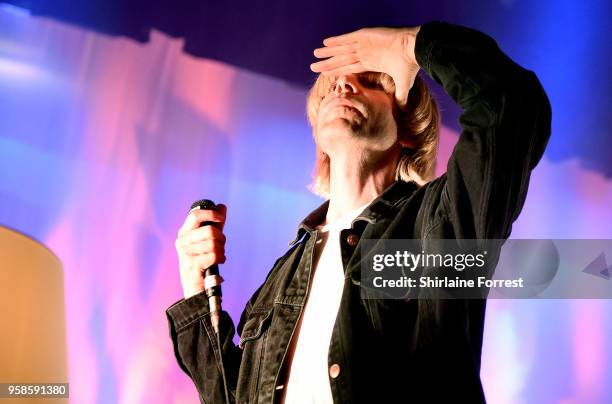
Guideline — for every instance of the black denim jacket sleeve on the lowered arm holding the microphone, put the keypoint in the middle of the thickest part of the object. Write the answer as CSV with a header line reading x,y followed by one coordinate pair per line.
x,y
196,349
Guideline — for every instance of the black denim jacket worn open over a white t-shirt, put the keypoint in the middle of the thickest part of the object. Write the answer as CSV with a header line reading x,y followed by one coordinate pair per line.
x,y
393,351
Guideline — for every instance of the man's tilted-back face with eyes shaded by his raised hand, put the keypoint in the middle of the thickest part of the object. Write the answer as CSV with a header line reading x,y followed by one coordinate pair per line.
x,y
356,111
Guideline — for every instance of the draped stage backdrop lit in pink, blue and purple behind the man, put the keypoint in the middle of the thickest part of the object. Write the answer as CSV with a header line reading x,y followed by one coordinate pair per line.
x,y
104,144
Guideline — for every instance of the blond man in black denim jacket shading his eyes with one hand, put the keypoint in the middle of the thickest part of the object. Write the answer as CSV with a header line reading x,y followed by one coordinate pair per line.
x,y
306,335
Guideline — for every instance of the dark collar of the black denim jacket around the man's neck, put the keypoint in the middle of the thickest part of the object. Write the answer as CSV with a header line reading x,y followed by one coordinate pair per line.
x,y
378,208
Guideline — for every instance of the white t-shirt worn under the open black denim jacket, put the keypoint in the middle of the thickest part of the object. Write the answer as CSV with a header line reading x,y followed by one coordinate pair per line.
x,y
308,379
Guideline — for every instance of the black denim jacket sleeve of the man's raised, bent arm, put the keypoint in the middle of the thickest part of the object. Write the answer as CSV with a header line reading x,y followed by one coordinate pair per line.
x,y
505,127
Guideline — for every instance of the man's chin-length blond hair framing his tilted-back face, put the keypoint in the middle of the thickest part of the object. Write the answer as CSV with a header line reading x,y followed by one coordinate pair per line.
x,y
419,119
